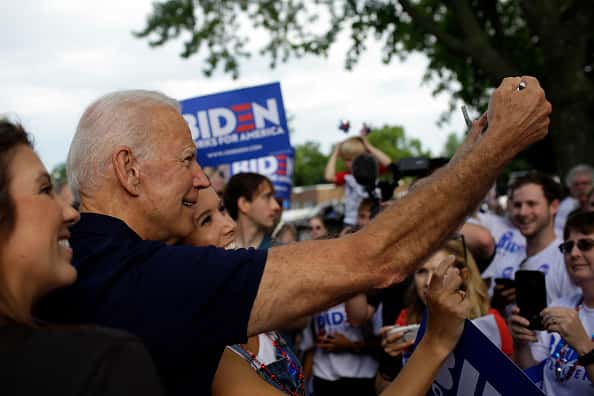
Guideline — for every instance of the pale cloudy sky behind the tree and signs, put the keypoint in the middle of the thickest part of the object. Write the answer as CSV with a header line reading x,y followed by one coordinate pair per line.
x,y
57,56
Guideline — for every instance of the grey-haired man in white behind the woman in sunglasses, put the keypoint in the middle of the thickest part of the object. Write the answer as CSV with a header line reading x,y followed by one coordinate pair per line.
x,y
579,182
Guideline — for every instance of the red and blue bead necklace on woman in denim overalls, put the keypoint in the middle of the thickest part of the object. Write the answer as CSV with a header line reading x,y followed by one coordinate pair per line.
x,y
293,368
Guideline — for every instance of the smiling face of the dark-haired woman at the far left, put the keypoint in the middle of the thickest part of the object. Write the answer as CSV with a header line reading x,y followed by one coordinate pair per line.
x,y
37,253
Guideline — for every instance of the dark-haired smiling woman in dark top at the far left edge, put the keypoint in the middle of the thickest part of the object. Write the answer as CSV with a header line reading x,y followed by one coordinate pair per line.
x,y
36,358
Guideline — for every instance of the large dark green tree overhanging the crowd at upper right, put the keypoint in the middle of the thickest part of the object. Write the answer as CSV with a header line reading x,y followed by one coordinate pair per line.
x,y
471,45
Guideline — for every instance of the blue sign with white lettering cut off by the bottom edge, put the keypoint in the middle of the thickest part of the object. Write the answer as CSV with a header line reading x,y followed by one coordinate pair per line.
x,y
478,367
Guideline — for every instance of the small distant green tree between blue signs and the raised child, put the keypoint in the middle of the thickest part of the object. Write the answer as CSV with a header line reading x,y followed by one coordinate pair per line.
x,y
309,164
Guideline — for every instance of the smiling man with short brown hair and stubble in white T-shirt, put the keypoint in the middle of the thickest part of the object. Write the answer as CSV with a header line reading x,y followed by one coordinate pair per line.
x,y
534,200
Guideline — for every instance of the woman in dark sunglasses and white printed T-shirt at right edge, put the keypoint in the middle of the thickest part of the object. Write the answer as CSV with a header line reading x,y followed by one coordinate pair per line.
x,y
565,349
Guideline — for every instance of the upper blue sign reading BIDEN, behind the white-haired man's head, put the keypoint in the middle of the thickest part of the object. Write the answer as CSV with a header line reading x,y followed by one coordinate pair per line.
x,y
238,125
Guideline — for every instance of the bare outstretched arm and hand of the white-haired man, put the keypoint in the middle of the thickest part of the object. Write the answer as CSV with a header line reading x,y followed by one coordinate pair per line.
x,y
308,277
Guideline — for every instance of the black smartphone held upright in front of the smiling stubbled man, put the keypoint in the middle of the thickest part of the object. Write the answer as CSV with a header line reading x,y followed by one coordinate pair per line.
x,y
531,296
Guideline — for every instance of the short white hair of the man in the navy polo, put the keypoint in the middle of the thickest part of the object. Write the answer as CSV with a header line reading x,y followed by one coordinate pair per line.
x,y
118,118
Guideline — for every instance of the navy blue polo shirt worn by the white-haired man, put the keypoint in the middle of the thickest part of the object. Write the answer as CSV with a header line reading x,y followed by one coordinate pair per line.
x,y
186,303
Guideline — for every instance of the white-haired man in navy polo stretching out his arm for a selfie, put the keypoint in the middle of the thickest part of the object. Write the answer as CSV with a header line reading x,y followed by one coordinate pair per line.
x,y
132,166
